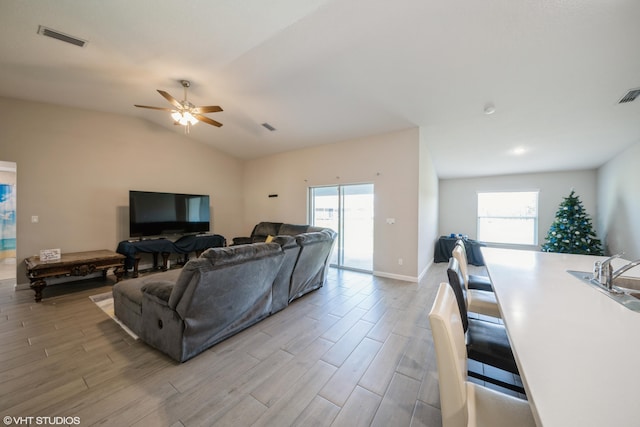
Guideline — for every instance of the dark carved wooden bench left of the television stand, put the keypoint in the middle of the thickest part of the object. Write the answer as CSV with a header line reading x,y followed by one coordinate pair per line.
x,y
73,264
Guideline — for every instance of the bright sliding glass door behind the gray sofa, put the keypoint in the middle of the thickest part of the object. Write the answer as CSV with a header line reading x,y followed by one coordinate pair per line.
x,y
347,209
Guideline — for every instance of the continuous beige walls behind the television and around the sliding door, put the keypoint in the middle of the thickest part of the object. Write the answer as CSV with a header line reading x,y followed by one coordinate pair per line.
x,y
75,168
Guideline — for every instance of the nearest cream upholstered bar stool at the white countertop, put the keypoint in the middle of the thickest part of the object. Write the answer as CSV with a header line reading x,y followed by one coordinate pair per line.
x,y
464,403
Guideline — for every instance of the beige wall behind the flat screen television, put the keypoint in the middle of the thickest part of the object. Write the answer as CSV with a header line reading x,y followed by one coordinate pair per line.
x,y
75,168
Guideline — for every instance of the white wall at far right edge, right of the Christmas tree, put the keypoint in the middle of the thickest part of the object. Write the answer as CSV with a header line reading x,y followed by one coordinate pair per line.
x,y
619,203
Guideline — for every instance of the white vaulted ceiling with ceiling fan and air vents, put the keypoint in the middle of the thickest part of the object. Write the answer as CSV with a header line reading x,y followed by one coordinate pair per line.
x,y
324,71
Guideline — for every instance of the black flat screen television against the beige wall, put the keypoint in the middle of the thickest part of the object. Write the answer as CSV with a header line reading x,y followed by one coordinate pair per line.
x,y
159,214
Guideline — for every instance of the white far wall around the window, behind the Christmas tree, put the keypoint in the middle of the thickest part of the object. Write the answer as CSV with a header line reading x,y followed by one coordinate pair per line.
x,y
458,198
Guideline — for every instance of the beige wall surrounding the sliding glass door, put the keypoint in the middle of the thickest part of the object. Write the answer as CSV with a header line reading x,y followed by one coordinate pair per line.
x,y
390,161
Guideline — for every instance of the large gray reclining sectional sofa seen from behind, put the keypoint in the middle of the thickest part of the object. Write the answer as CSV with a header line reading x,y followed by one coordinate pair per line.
x,y
225,290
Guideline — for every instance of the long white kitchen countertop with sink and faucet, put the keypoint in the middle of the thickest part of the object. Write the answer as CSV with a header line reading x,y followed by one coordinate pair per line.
x,y
578,351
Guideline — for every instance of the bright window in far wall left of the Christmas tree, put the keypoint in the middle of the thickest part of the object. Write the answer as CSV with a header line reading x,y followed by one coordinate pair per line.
x,y
508,217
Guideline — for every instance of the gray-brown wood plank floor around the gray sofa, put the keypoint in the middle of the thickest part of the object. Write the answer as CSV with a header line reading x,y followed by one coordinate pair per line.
x,y
357,352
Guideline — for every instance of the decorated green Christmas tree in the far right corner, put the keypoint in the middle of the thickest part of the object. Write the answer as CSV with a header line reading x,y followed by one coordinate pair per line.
x,y
572,231
